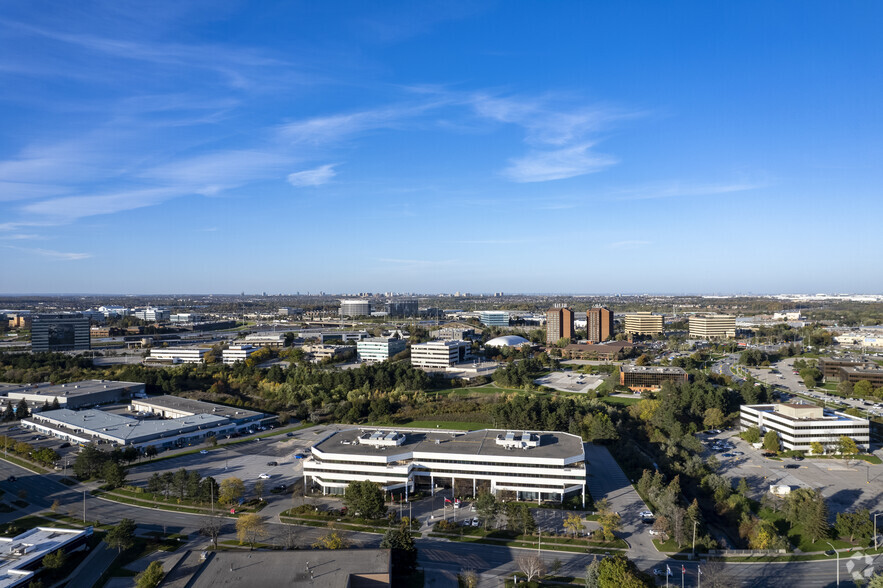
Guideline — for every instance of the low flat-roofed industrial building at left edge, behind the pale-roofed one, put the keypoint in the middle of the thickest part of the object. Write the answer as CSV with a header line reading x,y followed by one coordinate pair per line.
x,y
74,395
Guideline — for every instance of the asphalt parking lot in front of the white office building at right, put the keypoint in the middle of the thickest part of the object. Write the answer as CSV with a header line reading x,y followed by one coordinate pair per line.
x,y
847,485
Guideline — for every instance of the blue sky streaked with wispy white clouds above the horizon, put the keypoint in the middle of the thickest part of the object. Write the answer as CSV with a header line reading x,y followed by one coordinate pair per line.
x,y
579,147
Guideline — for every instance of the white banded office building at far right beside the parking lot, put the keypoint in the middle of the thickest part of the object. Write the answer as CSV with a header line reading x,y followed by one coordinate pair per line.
x,y
799,425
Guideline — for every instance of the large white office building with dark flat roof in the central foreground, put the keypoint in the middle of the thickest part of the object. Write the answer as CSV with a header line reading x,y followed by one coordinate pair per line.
x,y
514,465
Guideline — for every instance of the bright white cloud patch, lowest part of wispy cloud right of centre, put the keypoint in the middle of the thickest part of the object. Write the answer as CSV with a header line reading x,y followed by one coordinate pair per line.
x,y
542,166
